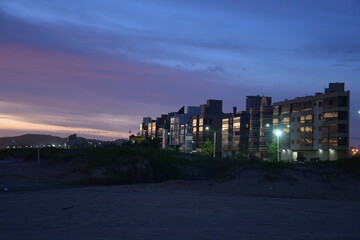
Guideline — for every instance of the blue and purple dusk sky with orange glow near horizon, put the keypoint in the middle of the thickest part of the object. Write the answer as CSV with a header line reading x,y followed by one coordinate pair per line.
x,y
95,68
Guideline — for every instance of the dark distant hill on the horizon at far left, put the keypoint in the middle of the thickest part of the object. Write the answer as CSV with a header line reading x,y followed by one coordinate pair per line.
x,y
31,139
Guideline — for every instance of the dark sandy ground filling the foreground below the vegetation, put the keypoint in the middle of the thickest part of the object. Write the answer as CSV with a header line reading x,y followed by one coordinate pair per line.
x,y
238,209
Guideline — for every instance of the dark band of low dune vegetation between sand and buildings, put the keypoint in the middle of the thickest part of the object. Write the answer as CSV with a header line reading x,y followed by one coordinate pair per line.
x,y
136,164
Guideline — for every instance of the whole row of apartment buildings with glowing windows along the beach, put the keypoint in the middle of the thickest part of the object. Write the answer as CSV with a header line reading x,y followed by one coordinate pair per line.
x,y
311,127
